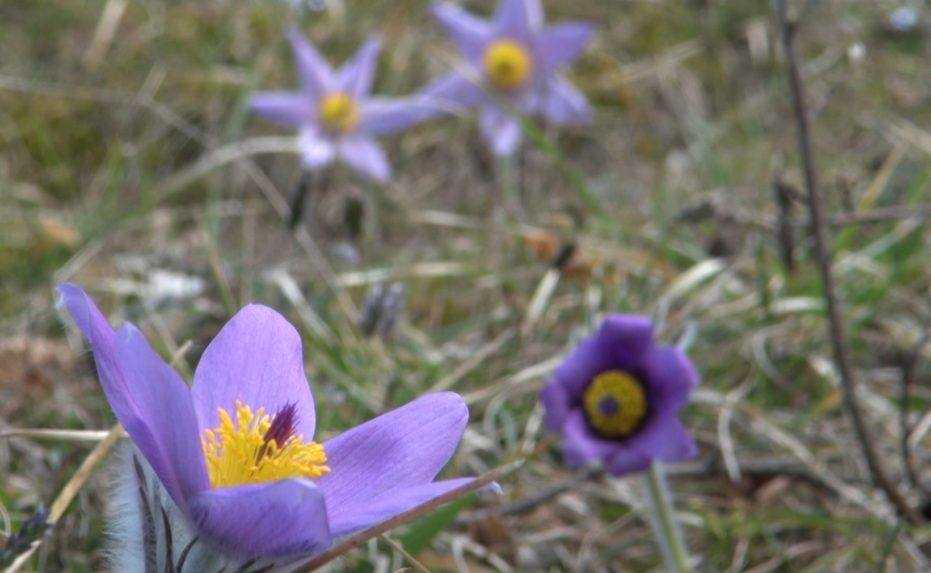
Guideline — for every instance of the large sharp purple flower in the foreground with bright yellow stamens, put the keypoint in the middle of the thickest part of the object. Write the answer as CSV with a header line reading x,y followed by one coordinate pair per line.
x,y
234,451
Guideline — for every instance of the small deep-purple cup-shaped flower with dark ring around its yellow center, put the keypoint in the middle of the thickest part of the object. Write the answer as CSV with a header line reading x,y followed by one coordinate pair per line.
x,y
617,396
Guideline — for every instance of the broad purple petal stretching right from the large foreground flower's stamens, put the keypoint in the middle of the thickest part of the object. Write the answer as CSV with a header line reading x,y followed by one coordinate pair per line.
x,y
405,447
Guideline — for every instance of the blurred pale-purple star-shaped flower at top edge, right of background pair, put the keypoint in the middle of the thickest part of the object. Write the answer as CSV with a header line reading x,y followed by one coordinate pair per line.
x,y
515,60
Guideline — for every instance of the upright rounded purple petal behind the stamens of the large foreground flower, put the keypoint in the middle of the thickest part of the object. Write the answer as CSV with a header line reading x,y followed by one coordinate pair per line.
x,y
256,359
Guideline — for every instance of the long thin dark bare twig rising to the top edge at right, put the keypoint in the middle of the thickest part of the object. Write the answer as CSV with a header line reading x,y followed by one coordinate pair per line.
x,y
823,256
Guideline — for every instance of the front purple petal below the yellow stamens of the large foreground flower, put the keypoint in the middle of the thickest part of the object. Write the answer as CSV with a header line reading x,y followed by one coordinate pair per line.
x,y
285,517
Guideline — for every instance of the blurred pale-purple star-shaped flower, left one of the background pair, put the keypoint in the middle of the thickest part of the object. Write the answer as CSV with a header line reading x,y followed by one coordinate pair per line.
x,y
335,115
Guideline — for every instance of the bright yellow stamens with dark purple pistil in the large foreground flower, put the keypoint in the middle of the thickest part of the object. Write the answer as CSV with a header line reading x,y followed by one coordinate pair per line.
x,y
256,448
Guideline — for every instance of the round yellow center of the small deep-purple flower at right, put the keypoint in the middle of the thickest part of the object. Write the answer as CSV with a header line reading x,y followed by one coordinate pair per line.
x,y
615,404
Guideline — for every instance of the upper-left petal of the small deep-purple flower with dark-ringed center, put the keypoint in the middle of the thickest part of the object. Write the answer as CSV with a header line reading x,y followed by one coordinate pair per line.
x,y
621,342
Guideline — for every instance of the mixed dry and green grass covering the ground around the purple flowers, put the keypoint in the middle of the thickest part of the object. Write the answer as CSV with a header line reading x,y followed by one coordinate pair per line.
x,y
692,109
